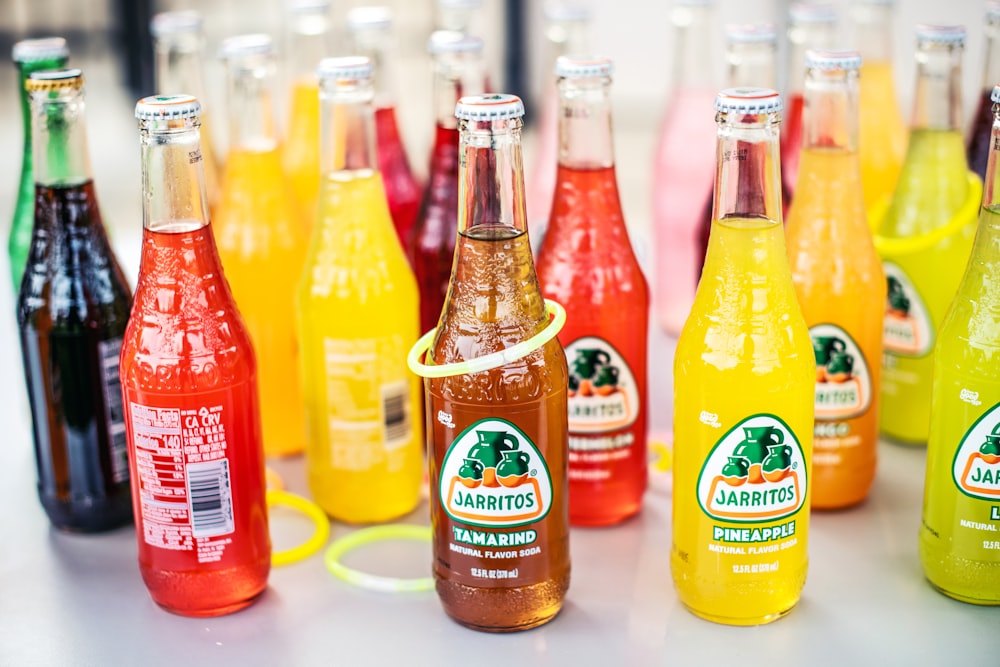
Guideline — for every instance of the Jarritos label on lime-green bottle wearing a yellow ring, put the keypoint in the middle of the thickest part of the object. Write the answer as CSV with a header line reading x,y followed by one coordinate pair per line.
x,y
907,328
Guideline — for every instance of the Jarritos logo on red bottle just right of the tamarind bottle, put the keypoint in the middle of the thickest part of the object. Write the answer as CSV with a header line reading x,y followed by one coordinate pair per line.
x,y
602,392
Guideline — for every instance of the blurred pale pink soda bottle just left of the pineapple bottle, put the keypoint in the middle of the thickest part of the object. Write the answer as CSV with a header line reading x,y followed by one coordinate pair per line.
x,y
684,163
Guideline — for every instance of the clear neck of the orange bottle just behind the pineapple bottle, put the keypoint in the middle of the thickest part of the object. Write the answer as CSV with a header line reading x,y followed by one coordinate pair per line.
x,y
830,113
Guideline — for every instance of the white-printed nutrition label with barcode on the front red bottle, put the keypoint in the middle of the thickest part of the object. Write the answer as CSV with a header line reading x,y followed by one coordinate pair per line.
x,y
184,477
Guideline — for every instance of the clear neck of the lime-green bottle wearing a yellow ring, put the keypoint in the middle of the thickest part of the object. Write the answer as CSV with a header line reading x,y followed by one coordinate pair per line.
x,y
937,98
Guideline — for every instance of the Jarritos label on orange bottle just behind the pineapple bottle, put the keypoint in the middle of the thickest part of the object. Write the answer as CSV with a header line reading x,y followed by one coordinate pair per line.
x,y
843,383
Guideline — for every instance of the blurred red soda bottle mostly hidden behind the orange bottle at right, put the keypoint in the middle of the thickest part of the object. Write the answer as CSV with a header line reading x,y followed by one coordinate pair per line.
x,y
809,27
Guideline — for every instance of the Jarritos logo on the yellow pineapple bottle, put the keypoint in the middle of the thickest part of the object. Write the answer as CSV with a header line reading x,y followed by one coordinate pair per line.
x,y
756,472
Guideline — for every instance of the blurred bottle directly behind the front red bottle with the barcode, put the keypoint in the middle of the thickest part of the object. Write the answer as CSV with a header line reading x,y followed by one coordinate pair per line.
x,y
178,46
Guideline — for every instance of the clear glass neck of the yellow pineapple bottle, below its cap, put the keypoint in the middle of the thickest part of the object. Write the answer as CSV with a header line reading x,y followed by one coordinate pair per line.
x,y
747,176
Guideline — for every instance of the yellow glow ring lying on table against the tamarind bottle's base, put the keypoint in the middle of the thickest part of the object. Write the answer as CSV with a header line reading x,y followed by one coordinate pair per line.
x,y
365,536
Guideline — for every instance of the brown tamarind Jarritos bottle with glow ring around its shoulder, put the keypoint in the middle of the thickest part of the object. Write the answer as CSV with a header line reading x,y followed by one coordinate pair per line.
x,y
497,439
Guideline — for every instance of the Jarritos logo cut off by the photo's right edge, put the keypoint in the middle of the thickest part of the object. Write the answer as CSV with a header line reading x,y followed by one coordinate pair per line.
x,y
976,468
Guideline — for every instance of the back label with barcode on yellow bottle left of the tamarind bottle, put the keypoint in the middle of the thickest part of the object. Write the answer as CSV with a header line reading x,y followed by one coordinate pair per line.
x,y
368,412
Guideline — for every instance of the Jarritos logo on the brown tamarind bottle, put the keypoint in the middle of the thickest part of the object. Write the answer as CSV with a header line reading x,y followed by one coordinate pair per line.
x,y
493,476
